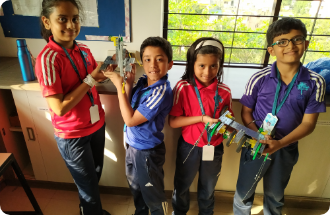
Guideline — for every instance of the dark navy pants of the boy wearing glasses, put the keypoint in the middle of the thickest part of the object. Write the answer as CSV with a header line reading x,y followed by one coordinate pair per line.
x,y
276,174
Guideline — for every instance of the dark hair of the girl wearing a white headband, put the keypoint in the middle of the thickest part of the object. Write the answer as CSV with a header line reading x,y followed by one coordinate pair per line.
x,y
208,49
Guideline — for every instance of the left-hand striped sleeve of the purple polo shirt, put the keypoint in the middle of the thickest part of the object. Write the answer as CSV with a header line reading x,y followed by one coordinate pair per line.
x,y
250,95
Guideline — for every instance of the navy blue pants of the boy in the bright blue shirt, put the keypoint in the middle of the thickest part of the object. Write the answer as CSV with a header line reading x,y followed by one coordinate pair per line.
x,y
145,176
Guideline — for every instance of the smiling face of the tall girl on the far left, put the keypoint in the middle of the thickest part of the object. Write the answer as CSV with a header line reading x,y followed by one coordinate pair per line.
x,y
64,23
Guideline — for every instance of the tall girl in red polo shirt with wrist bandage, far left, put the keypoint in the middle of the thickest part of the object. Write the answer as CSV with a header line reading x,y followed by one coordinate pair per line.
x,y
67,73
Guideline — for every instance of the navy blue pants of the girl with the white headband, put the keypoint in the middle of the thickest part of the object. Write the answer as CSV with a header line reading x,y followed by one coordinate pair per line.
x,y
209,172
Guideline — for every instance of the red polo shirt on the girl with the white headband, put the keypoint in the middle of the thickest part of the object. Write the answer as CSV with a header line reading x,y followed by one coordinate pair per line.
x,y
186,104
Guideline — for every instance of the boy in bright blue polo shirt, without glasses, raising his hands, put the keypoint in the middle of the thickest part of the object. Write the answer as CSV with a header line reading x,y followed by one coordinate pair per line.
x,y
151,101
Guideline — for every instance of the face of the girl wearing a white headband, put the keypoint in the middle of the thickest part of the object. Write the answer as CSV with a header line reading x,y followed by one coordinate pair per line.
x,y
206,68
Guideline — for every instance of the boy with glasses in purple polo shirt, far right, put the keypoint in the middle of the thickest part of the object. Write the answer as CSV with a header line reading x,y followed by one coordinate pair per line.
x,y
301,92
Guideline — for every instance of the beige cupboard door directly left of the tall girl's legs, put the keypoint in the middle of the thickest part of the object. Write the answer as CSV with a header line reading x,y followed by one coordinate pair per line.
x,y
54,163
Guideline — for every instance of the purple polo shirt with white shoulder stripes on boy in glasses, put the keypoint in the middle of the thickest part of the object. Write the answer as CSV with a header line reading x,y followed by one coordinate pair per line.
x,y
306,96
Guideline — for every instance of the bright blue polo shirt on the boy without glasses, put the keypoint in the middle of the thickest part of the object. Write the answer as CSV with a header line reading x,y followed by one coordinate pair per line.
x,y
154,103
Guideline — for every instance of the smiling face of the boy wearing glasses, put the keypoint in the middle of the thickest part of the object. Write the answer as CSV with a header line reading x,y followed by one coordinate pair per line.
x,y
290,53
